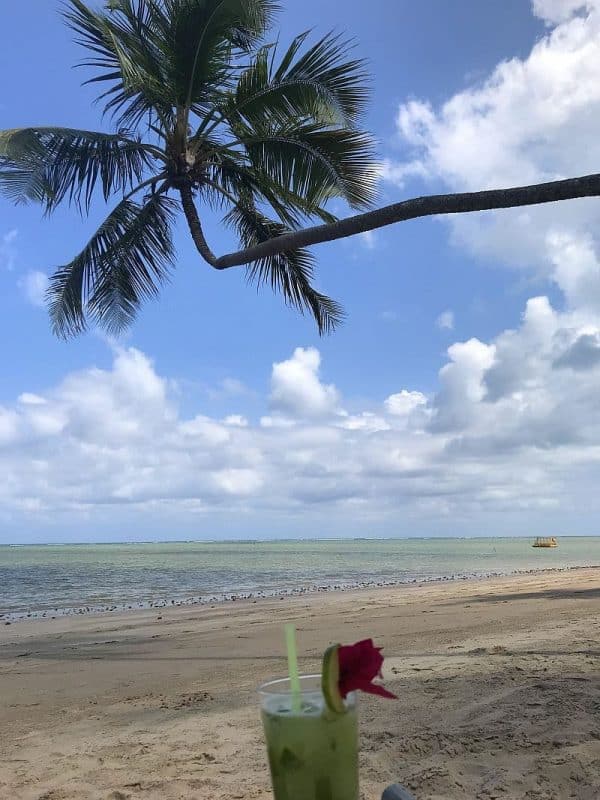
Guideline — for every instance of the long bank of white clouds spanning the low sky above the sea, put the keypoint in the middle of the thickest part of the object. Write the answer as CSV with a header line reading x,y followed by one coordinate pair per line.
x,y
514,424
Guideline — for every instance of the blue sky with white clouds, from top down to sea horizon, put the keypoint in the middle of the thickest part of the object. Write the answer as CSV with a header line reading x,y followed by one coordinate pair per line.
x,y
459,398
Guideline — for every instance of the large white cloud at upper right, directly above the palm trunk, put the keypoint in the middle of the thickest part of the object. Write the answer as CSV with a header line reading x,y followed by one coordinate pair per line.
x,y
529,121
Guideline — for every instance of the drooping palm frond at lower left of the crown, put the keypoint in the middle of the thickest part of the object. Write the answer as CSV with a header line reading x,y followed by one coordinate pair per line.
x,y
126,260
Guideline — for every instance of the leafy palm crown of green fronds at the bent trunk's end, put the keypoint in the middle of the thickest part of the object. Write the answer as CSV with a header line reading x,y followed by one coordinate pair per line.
x,y
207,115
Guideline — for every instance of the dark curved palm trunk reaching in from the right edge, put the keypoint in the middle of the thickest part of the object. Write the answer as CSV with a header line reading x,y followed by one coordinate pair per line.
x,y
586,186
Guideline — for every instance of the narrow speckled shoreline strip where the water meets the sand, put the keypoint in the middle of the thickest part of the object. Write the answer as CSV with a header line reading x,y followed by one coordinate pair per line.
x,y
12,617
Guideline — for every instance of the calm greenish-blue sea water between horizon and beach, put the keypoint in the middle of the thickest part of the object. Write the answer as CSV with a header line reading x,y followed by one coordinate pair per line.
x,y
54,578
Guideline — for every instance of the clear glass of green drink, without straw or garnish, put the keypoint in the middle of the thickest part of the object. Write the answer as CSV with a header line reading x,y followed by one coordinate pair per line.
x,y
313,752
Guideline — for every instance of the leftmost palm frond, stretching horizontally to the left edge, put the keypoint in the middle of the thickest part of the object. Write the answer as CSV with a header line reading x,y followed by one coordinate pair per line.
x,y
47,165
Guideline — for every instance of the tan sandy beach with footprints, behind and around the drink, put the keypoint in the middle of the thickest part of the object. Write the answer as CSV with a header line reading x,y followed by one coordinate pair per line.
x,y
498,685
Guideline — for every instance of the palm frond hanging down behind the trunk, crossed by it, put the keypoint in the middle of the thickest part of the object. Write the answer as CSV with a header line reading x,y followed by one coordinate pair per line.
x,y
289,273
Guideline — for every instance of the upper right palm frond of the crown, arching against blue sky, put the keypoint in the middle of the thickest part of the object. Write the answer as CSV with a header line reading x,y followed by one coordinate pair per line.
x,y
321,85
